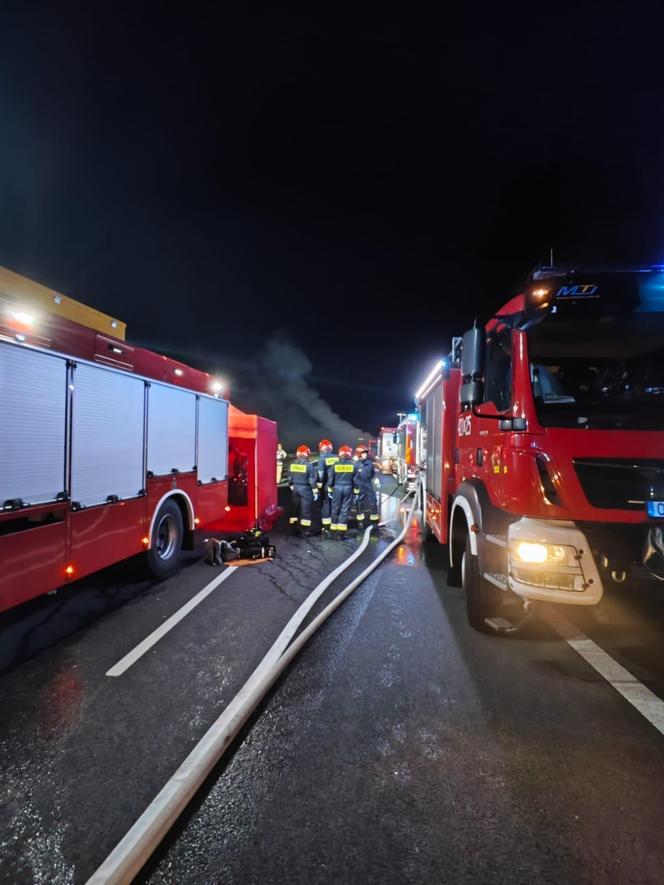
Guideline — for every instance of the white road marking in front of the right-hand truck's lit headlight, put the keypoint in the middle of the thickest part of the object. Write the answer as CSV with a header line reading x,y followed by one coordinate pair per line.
x,y
638,695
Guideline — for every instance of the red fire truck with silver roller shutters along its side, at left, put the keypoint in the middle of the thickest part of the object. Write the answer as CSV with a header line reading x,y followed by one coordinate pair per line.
x,y
109,450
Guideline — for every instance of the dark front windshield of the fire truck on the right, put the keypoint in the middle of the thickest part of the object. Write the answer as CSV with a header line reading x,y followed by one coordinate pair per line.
x,y
599,375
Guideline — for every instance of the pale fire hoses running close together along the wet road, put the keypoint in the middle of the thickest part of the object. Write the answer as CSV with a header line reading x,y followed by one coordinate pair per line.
x,y
136,847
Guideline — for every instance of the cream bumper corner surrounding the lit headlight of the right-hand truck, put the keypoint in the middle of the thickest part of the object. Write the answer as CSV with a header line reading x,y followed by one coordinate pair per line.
x,y
544,582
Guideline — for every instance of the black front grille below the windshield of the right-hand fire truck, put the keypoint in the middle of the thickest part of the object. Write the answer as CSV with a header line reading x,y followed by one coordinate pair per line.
x,y
621,483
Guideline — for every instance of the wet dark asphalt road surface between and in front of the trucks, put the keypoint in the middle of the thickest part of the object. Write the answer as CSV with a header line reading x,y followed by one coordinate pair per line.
x,y
400,747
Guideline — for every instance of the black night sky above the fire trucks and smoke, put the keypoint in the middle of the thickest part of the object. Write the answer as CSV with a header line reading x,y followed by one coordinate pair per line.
x,y
367,183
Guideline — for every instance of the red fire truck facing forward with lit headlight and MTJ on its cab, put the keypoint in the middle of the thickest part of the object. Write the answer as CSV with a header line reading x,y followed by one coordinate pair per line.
x,y
544,435
